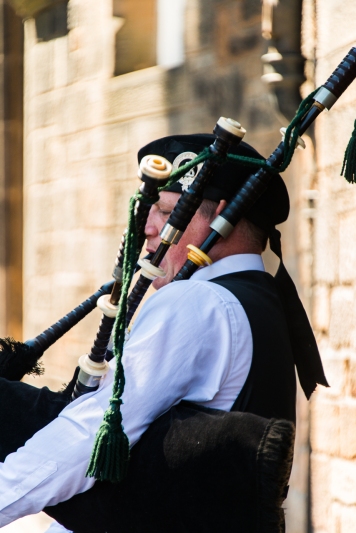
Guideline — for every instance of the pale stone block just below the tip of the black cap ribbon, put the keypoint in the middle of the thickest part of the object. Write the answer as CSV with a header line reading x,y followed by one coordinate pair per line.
x,y
325,426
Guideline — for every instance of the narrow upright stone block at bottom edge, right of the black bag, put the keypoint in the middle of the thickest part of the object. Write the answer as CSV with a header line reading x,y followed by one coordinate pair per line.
x,y
320,492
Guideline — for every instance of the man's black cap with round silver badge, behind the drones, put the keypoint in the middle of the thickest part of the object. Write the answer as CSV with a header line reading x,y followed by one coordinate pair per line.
x,y
271,208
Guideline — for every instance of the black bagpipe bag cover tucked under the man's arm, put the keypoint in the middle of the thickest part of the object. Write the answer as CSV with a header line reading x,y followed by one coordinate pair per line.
x,y
195,470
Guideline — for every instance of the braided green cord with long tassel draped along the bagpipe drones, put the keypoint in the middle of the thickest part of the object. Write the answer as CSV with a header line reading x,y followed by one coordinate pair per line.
x,y
110,456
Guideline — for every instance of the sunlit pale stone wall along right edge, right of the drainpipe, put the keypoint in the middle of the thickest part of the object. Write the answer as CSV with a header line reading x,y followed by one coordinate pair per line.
x,y
333,410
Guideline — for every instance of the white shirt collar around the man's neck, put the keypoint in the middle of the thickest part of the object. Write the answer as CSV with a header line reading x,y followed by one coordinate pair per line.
x,y
227,265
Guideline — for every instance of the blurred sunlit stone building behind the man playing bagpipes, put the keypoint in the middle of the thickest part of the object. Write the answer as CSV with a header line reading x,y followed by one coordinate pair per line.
x,y
84,84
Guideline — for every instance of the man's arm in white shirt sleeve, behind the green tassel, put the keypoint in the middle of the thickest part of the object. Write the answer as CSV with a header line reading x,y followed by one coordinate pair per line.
x,y
180,348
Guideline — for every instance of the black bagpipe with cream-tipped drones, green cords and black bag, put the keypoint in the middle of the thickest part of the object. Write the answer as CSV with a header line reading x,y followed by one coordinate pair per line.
x,y
161,487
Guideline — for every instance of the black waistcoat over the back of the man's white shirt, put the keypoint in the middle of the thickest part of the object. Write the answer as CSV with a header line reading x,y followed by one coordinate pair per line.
x,y
270,388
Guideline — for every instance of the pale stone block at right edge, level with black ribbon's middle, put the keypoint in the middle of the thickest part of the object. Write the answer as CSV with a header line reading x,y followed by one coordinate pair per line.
x,y
342,319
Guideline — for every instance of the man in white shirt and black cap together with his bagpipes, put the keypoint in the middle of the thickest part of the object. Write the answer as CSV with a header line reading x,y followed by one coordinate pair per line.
x,y
204,388
